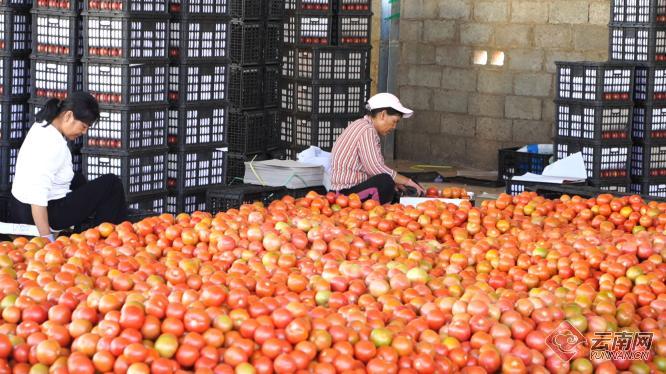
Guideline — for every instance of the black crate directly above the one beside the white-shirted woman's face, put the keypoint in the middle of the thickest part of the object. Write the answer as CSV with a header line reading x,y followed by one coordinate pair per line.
x,y
126,84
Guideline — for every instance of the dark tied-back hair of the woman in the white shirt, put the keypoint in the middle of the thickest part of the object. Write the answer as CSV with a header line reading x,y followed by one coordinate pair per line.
x,y
82,104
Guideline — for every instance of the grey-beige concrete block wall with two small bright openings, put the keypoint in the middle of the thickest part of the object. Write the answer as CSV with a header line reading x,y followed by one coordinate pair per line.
x,y
466,112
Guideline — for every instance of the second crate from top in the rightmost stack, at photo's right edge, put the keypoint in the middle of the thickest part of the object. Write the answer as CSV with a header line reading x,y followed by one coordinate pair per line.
x,y
637,43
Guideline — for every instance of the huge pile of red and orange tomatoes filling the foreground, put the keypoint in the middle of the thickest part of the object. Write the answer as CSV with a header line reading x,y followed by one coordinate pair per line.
x,y
328,284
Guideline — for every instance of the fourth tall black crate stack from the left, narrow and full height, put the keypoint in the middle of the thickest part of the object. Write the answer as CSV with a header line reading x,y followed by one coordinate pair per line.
x,y
198,112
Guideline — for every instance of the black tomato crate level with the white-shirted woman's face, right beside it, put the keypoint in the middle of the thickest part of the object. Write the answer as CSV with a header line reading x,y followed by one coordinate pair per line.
x,y
128,129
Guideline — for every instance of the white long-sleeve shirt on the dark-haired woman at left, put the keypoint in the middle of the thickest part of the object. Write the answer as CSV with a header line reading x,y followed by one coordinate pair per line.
x,y
44,169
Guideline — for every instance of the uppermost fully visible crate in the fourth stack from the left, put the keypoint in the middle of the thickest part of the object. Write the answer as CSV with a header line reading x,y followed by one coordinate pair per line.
x,y
199,39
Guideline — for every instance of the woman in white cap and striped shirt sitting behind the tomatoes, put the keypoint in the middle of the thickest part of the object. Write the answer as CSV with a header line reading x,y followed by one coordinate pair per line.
x,y
357,164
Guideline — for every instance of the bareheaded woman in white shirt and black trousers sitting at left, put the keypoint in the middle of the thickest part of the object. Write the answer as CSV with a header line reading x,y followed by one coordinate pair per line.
x,y
42,192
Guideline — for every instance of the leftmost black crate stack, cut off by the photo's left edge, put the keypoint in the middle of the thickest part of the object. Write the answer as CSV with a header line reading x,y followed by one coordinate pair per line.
x,y
15,46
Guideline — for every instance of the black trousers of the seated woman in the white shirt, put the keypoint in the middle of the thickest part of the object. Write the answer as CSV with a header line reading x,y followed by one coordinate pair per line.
x,y
97,201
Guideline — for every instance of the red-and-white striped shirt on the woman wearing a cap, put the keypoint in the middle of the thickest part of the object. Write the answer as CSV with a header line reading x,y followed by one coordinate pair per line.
x,y
357,156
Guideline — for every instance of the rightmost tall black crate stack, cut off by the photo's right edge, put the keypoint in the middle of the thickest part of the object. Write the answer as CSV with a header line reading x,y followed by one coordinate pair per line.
x,y
638,38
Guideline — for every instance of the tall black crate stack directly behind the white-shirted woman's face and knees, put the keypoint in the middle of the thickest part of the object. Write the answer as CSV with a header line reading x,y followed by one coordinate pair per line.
x,y
125,65
